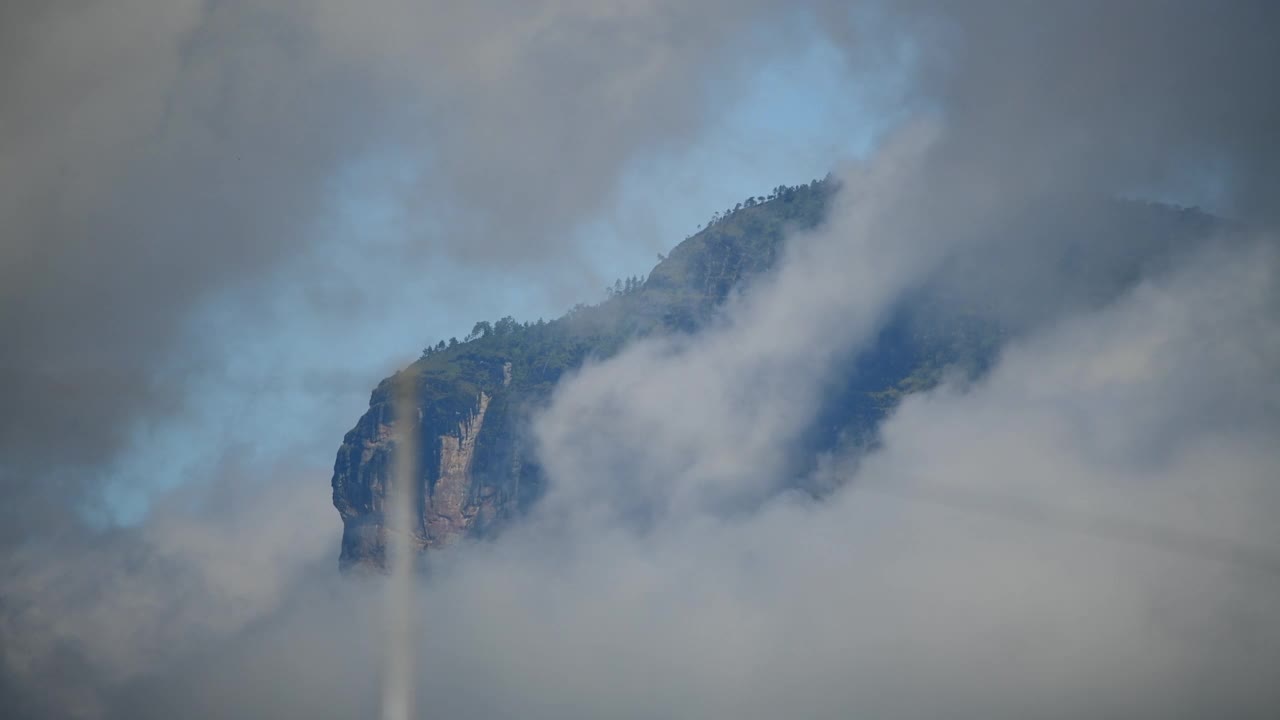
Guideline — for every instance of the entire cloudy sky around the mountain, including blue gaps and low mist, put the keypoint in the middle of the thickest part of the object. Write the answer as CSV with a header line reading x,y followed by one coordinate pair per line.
x,y
225,222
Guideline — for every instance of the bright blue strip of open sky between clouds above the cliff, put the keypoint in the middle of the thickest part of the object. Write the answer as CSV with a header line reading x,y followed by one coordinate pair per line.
x,y
790,124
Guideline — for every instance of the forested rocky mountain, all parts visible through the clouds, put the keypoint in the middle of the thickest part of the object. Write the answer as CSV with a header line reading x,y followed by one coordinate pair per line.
x,y
477,464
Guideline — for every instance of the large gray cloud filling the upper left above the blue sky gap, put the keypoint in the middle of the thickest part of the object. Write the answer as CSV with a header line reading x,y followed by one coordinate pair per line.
x,y
159,156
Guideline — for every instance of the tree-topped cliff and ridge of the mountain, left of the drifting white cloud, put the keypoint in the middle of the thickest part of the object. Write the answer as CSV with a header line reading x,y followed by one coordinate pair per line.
x,y
476,467
